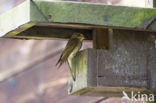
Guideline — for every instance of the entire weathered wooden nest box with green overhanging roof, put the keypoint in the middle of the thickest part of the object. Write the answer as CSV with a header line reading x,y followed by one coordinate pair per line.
x,y
123,57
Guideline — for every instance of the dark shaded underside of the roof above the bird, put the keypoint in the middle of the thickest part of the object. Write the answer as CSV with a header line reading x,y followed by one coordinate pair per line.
x,y
55,32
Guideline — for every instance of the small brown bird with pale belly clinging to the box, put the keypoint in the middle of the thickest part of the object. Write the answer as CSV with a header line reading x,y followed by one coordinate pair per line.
x,y
73,46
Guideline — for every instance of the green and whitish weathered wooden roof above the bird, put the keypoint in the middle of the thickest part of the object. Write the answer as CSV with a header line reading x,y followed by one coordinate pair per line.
x,y
86,15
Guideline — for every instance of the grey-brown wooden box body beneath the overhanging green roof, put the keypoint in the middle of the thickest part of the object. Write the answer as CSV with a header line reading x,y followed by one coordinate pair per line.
x,y
128,65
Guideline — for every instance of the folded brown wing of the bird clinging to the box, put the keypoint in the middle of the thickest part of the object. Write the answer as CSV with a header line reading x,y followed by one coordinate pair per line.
x,y
71,45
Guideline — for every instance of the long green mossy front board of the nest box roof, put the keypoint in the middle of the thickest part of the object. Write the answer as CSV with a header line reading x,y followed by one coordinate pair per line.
x,y
95,14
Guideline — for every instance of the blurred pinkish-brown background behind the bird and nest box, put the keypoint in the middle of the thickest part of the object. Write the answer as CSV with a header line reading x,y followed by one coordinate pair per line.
x,y
27,68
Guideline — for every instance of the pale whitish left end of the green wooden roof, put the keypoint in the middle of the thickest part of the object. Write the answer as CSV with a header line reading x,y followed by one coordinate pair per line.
x,y
14,24
